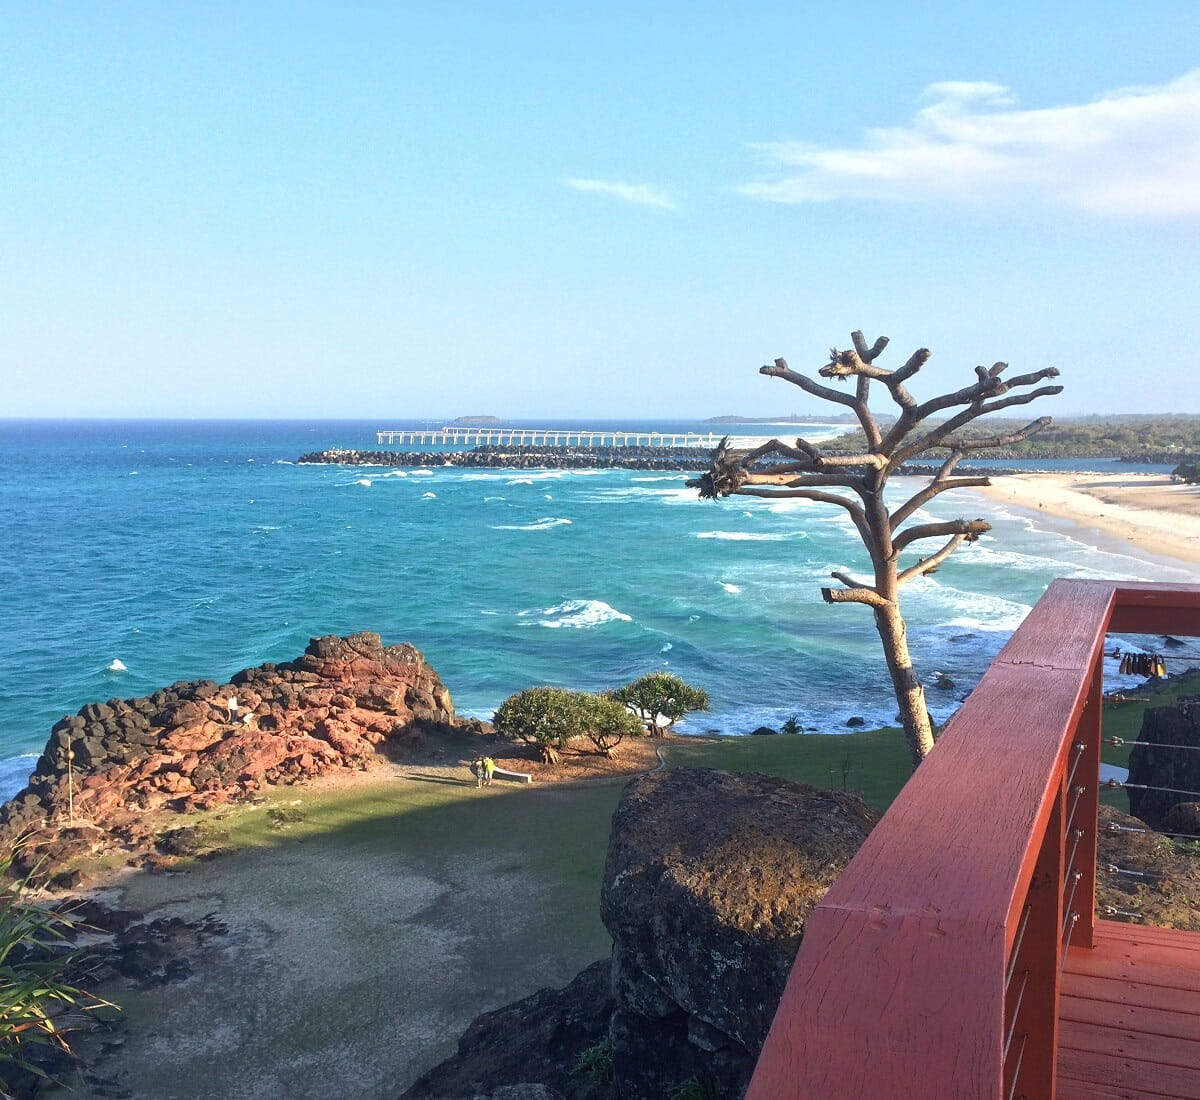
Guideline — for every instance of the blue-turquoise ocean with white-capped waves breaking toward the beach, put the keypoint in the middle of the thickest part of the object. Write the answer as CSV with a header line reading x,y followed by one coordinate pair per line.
x,y
139,554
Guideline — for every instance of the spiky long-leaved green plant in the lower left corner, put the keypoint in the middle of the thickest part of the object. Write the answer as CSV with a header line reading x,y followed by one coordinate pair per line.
x,y
35,955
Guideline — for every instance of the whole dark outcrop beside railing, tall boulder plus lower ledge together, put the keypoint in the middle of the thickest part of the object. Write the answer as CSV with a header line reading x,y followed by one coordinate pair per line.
x,y
709,883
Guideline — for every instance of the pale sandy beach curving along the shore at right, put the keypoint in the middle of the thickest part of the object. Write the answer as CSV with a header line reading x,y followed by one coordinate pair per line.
x,y
1147,514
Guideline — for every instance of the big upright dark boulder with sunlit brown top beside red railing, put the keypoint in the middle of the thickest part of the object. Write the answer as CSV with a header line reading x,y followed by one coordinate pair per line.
x,y
710,880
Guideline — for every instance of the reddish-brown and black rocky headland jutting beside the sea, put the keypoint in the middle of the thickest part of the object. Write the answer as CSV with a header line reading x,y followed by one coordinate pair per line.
x,y
185,748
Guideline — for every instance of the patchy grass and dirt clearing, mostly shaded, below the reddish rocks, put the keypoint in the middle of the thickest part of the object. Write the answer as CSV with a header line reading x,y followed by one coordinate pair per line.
x,y
364,940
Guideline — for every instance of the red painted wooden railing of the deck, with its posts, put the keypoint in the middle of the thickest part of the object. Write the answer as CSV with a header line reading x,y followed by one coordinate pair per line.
x,y
932,967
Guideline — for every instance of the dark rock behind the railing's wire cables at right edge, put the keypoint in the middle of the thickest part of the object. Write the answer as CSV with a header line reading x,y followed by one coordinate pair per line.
x,y
1167,759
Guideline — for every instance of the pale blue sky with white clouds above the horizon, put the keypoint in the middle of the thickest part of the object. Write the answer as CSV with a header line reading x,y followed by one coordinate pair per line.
x,y
590,211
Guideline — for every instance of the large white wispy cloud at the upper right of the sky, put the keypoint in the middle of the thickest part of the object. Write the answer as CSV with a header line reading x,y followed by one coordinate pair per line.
x,y
1135,152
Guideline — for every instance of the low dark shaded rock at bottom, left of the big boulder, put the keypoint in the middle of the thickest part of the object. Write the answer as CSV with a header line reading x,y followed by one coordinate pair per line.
x,y
536,1042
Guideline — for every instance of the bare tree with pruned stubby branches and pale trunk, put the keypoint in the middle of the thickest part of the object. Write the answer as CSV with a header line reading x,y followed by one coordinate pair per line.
x,y
803,471
